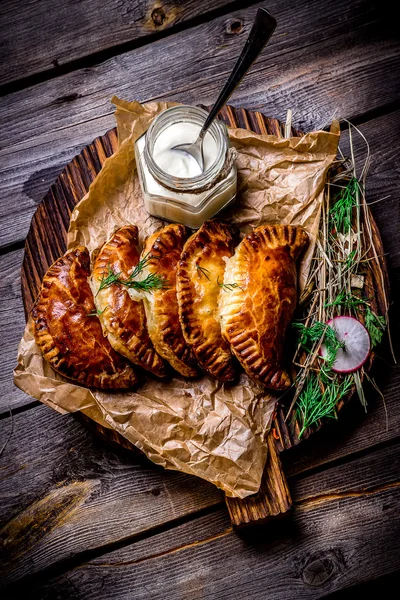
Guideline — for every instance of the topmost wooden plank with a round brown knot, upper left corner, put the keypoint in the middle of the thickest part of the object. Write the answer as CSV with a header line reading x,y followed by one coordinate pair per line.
x,y
74,30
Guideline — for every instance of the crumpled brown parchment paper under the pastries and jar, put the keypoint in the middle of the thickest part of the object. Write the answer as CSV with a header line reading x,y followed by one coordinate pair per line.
x,y
205,428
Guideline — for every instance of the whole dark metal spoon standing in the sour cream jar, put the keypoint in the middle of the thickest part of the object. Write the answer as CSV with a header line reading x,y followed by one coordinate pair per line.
x,y
263,27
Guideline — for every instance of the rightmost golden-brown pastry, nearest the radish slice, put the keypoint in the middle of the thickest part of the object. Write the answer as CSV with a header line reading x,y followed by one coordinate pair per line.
x,y
256,312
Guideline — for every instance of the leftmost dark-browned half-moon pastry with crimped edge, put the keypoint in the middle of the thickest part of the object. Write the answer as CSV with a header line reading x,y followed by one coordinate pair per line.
x,y
68,332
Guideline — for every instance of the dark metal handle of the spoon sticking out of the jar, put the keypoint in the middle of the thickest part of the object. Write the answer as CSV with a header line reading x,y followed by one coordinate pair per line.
x,y
263,27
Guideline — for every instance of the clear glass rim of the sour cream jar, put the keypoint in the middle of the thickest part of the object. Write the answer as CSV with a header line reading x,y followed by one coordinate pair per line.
x,y
182,113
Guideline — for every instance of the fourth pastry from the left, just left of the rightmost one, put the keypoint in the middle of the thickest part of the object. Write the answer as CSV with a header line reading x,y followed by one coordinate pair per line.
x,y
200,277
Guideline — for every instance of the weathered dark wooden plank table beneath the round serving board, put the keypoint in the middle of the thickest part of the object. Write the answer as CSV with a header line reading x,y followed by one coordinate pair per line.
x,y
81,520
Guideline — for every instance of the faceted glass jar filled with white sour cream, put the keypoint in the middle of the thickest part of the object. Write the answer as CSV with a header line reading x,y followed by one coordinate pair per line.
x,y
174,188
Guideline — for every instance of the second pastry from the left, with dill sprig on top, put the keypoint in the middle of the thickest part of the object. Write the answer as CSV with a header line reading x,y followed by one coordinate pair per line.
x,y
122,317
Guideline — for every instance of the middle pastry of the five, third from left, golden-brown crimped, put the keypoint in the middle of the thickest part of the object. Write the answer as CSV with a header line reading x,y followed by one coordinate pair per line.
x,y
162,252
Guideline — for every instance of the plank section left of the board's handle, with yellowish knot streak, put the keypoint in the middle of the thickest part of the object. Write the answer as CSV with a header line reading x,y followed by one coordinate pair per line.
x,y
63,492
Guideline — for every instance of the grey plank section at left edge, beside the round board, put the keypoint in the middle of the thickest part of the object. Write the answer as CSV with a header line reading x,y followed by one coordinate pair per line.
x,y
12,323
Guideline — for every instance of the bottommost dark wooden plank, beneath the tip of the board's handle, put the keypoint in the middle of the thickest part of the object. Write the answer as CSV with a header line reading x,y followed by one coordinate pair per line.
x,y
344,531
